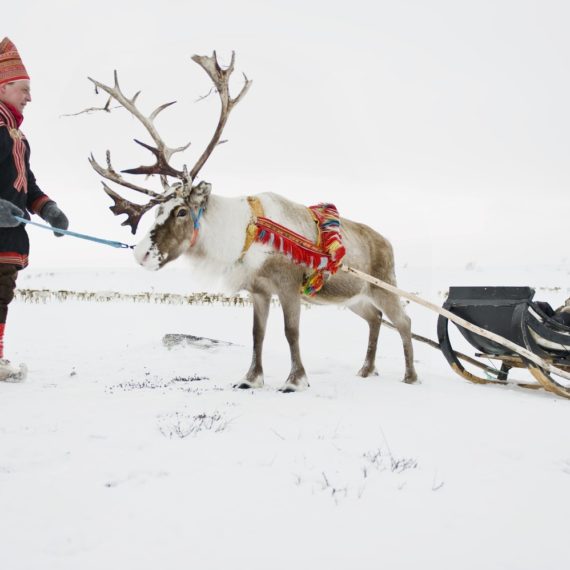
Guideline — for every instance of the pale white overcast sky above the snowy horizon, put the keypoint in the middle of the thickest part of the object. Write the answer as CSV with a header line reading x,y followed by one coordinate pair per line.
x,y
443,124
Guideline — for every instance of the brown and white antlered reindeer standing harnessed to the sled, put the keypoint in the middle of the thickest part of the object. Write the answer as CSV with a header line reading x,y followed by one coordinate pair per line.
x,y
213,232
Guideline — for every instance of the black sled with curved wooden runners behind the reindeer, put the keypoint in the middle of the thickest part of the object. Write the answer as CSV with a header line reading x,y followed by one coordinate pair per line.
x,y
511,313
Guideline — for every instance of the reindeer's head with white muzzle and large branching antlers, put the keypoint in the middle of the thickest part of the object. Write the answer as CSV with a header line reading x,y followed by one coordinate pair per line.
x,y
181,204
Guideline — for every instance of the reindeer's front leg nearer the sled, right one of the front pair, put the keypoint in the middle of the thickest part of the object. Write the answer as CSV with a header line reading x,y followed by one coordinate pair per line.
x,y
291,303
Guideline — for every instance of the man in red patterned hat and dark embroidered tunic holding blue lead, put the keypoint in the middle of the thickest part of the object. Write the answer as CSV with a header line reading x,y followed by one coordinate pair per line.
x,y
19,193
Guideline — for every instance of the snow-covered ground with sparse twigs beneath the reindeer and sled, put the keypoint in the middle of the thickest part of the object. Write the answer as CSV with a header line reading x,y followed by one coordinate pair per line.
x,y
119,452
